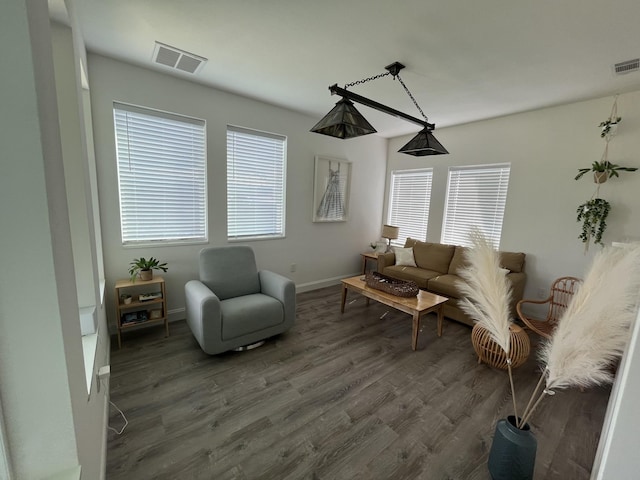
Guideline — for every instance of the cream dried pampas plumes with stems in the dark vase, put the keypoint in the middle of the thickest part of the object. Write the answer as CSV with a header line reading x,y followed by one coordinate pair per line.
x,y
591,334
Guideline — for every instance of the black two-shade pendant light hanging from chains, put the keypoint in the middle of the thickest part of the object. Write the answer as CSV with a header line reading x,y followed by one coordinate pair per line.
x,y
345,121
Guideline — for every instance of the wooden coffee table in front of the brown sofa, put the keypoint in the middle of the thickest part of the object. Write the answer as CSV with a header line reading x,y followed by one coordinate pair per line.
x,y
417,306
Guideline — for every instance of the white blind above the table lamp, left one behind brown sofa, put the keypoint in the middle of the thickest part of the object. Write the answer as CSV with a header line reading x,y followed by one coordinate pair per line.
x,y
409,200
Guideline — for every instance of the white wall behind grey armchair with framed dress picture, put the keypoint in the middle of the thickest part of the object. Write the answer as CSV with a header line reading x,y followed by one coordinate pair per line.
x,y
321,251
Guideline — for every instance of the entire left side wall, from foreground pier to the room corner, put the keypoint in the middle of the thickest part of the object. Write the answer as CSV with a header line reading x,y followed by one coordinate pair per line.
x,y
53,424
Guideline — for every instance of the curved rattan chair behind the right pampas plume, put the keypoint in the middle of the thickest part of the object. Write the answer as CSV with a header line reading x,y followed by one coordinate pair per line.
x,y
562,291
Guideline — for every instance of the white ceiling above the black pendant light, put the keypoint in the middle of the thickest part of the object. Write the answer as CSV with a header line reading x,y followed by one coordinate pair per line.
x,y
465,60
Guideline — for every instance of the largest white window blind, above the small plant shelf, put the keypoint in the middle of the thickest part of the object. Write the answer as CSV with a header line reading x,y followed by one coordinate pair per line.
x,y
161,175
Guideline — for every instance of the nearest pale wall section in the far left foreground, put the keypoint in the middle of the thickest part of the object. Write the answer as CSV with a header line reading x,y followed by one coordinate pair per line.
x,y
37,285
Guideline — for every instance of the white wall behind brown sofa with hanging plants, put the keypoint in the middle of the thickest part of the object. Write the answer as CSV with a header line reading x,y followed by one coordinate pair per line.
x,y
545,148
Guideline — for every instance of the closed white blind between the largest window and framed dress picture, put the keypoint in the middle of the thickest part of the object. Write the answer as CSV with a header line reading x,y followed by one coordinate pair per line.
x,y
256,163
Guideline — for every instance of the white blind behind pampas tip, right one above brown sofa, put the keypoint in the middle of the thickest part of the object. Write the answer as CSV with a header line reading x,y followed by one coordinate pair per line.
x,y
476,197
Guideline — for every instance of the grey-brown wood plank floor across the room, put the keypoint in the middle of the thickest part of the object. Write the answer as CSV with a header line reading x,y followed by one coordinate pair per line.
x,y
339,396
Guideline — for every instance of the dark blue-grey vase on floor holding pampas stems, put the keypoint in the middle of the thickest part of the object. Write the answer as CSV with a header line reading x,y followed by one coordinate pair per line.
x,y
513,452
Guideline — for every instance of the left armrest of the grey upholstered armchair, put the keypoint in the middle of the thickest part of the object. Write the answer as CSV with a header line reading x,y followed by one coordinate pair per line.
x,y
201,303
